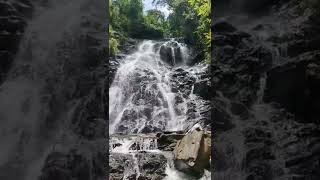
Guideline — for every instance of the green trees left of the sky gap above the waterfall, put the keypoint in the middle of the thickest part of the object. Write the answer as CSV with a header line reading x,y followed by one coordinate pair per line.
x,y
127,20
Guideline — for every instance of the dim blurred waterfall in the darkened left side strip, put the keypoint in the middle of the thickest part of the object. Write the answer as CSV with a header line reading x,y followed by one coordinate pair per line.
x,y
38,99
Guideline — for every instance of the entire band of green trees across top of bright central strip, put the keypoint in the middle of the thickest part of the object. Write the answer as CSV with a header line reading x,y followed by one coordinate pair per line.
x,y
189,19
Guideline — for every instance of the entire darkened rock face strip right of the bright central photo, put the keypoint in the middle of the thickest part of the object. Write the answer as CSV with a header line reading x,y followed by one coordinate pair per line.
x,y
264,101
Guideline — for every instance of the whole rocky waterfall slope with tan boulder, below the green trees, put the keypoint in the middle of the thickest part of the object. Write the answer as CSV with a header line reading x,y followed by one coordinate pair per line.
x,y
155,90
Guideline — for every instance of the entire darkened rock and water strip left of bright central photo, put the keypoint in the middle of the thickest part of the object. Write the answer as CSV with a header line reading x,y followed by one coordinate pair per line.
x,y
59,126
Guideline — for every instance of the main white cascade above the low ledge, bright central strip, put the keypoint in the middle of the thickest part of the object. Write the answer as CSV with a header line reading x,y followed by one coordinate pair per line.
x,y
141,94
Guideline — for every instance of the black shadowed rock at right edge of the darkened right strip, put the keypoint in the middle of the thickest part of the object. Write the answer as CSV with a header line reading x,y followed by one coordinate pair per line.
x,y
295,85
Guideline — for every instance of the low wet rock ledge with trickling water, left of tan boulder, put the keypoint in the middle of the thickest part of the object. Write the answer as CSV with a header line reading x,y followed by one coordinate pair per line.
x,y
142,156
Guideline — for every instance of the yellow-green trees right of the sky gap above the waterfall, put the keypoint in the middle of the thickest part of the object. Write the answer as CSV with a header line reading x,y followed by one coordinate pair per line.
x,y
191,19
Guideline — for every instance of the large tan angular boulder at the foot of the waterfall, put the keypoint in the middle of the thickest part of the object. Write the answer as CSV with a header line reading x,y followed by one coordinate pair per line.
x,y
192,153
